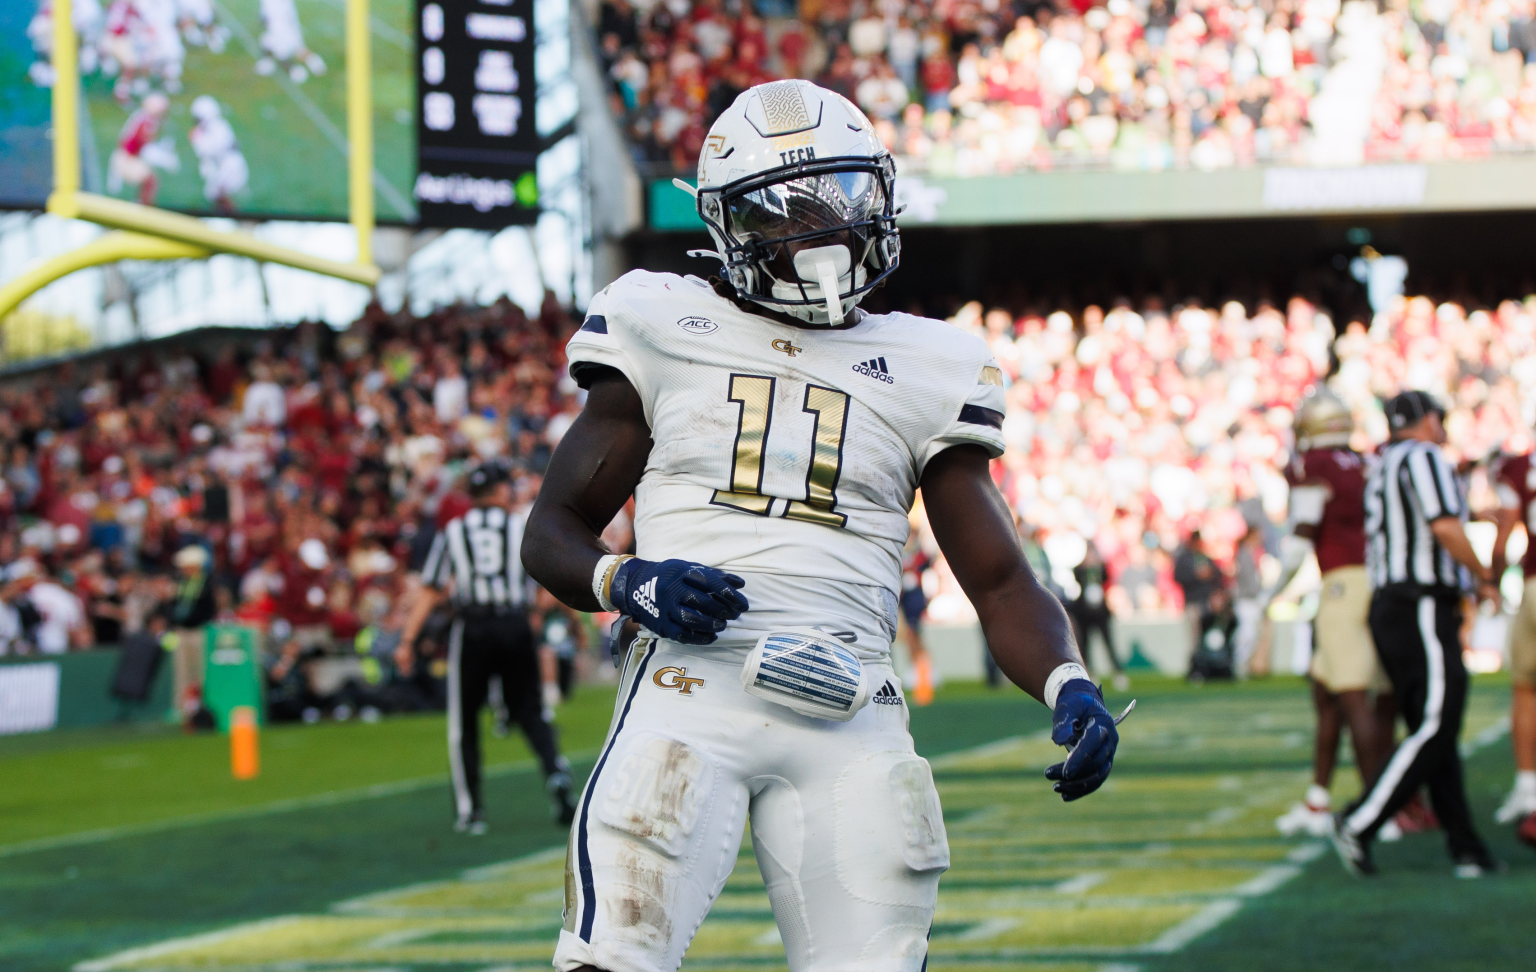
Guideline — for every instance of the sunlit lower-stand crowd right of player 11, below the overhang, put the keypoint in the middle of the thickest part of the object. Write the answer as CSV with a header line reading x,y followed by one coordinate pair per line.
x,y
1133,428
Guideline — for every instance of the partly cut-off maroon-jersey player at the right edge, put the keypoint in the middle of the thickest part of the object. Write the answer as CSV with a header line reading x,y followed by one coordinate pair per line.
x,y
1515,480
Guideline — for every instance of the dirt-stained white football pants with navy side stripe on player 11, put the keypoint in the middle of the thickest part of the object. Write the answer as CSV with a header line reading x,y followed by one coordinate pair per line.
x,y
846,822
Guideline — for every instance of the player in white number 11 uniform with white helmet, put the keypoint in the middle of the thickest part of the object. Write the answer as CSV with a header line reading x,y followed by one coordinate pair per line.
x,y
773,437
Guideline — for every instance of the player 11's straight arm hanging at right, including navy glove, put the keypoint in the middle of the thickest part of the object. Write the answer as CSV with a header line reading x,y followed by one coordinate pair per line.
x,y
1027,630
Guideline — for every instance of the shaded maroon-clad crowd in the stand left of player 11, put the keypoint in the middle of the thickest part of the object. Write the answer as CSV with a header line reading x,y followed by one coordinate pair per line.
x,y
305,471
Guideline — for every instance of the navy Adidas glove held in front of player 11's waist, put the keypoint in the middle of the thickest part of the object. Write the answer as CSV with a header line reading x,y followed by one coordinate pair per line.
x,y
680,601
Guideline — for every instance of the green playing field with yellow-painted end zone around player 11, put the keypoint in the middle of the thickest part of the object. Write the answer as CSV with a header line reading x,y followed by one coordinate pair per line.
x,y
133,850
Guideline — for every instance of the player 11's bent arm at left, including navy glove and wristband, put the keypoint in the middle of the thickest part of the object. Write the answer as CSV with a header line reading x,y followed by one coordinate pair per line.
x,y
592,475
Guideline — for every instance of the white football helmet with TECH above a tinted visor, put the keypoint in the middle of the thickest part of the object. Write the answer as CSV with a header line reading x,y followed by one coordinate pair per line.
x,y
798,194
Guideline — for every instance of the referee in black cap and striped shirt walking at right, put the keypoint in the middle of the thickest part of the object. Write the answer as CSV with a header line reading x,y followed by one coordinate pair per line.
x,y
1422,566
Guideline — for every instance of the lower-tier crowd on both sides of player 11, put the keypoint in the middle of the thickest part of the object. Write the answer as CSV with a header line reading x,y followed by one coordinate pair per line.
x,y
310,471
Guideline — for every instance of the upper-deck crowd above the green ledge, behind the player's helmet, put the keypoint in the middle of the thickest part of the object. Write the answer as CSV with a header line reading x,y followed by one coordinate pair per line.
x,y
968,88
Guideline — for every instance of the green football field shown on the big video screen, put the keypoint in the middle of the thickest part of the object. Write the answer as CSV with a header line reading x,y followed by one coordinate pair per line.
x,y
293,134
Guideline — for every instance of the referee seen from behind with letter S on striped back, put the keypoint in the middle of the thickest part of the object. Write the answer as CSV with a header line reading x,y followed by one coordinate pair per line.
x,y
477,557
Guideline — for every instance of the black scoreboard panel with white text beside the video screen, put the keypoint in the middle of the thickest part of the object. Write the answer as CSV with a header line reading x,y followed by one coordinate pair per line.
x,y
477,142
